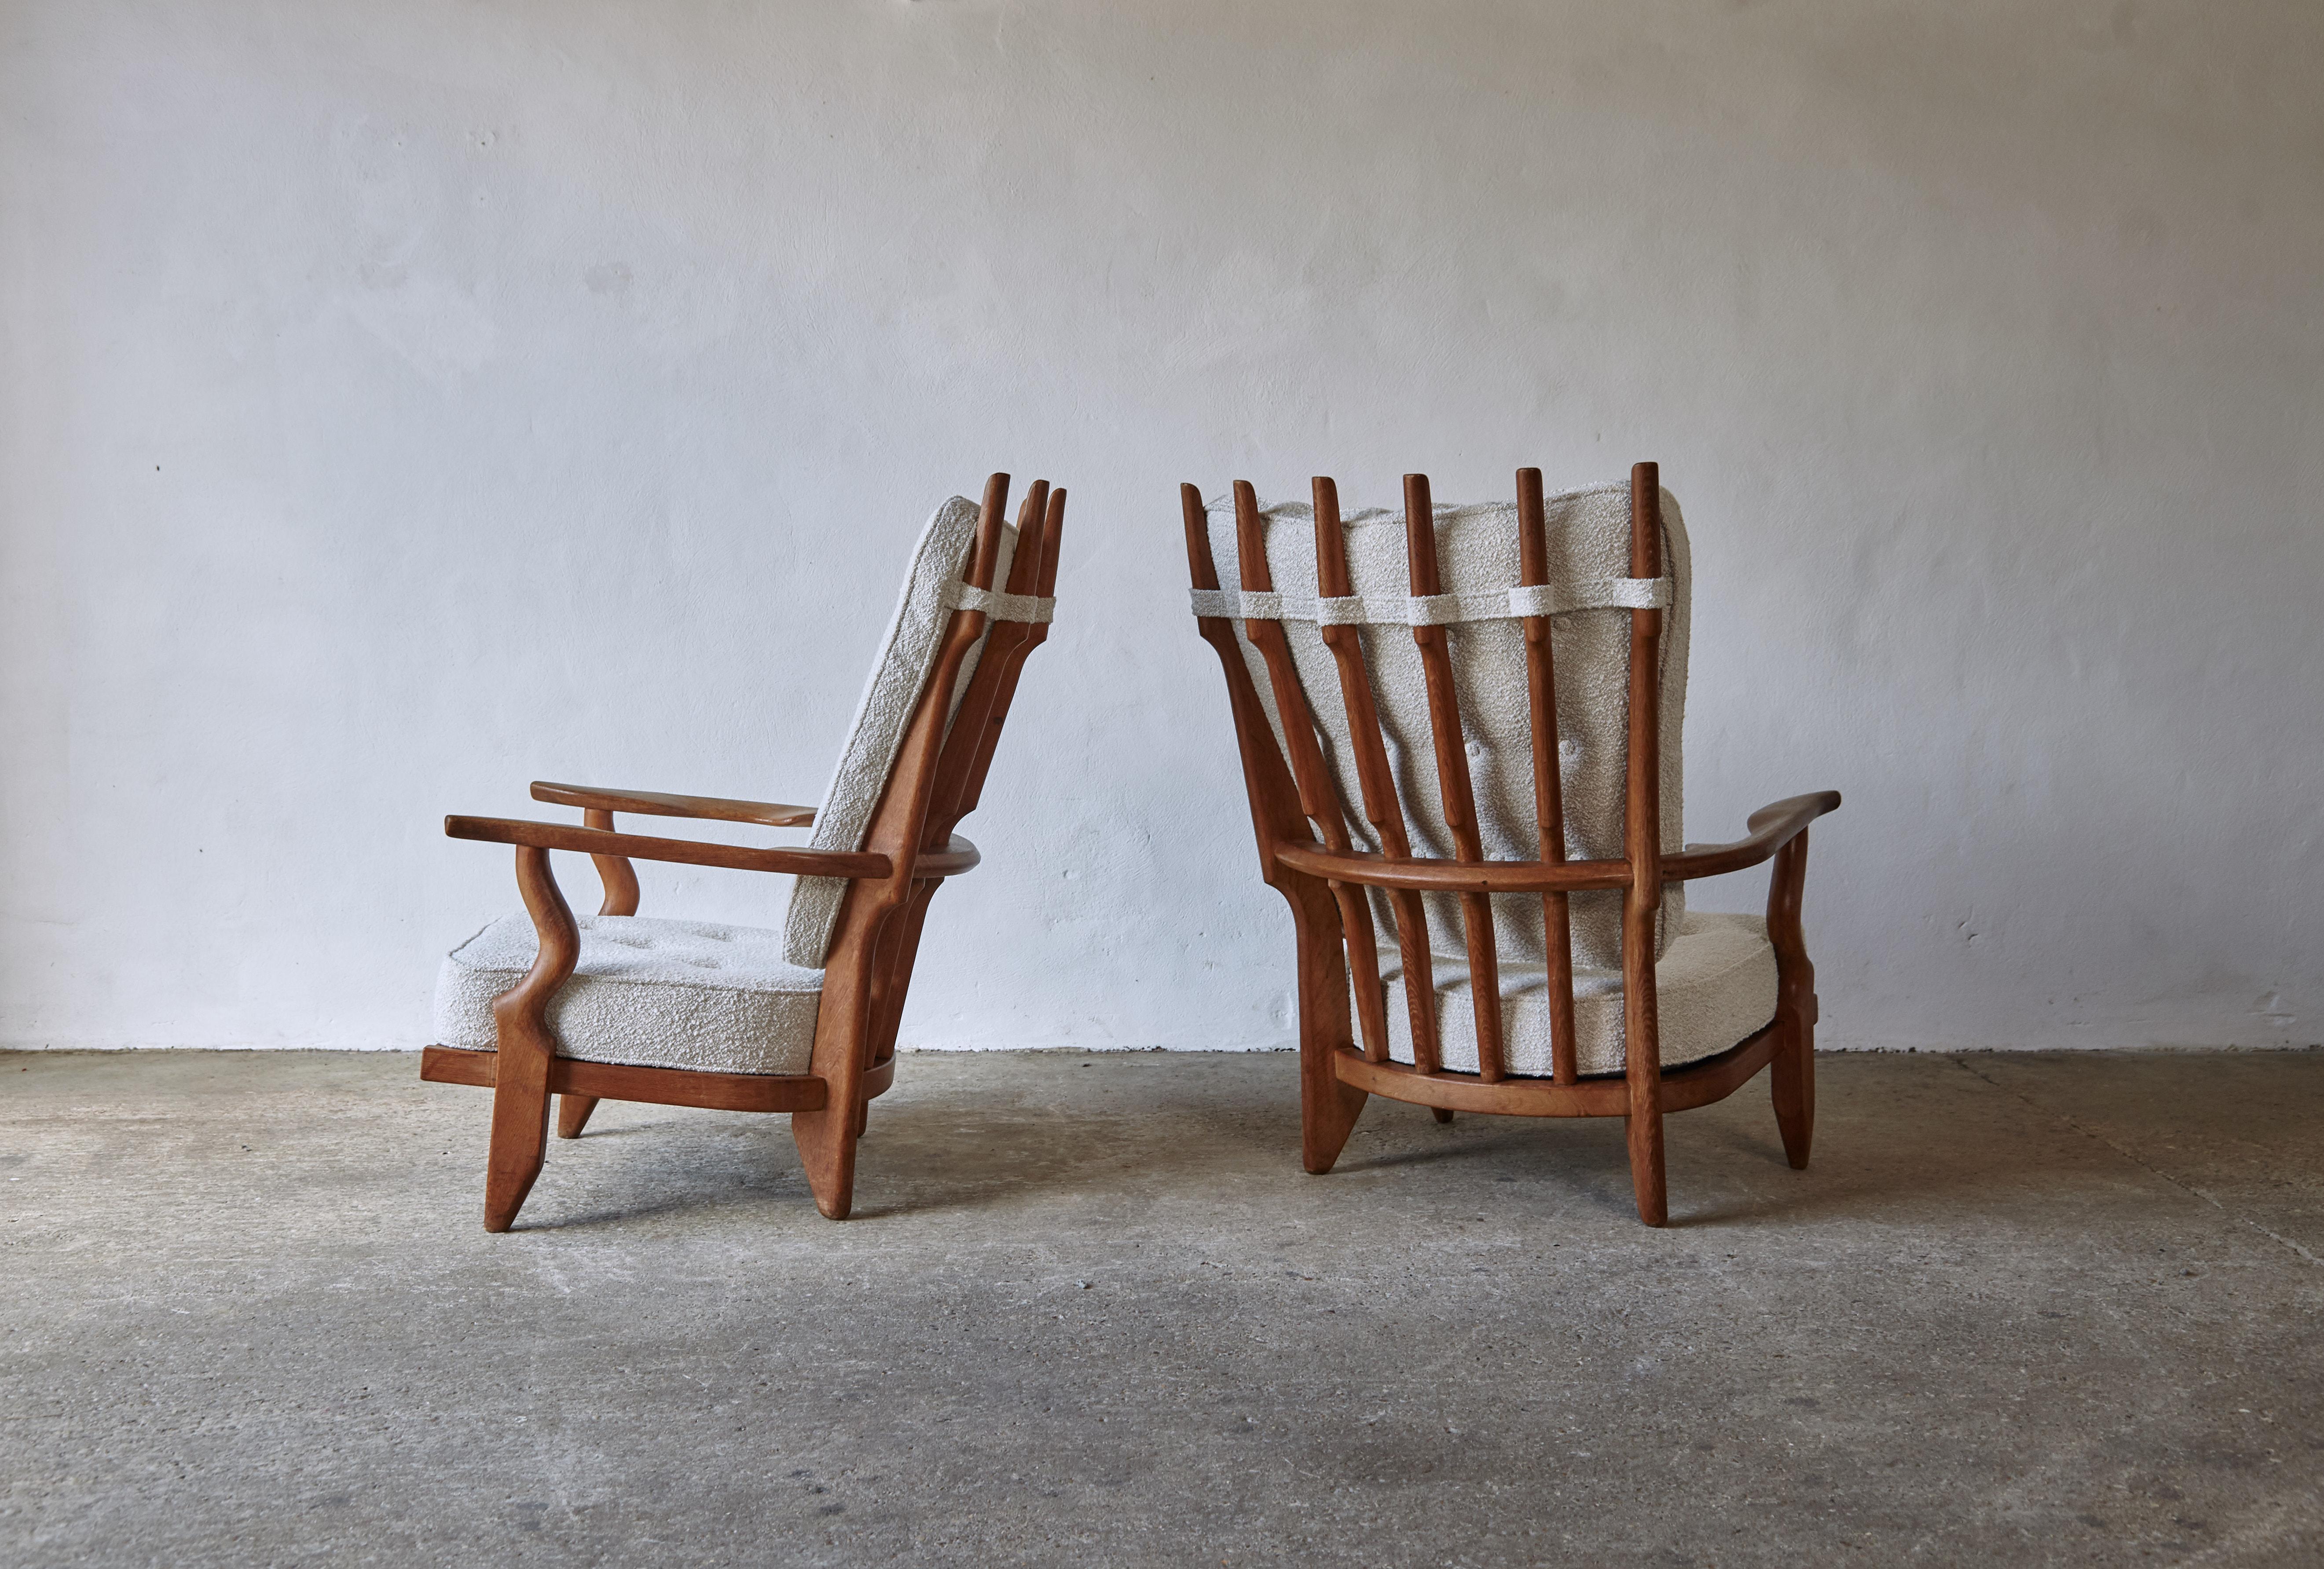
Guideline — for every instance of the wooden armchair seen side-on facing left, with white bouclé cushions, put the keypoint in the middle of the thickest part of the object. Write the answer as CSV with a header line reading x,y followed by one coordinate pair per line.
x,y
701,1015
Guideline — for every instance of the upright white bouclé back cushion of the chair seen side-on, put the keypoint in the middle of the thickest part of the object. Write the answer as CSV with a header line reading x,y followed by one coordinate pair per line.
x,y
905,661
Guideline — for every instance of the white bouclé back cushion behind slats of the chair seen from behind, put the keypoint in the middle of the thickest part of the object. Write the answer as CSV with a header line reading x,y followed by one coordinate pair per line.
x,y
1477,550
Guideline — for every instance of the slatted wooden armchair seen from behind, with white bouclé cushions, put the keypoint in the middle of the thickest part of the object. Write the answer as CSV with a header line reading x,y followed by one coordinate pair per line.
x,y
1482,710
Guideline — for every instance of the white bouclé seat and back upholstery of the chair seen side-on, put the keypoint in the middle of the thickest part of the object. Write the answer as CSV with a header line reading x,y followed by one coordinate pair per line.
x,y
729,998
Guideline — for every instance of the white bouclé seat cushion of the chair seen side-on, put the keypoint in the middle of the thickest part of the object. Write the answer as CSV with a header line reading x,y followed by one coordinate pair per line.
x,y
657,994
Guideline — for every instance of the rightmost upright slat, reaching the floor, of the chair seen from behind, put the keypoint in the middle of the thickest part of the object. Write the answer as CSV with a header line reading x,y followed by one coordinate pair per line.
x,y
1642,845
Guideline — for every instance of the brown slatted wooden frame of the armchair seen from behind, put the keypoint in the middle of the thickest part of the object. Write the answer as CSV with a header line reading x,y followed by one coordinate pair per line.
x,y
1310,859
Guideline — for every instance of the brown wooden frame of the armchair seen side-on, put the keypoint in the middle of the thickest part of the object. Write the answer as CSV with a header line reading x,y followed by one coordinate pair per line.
x,y
910,850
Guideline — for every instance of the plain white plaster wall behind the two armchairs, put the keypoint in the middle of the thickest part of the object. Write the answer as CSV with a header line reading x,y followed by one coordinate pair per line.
x,y
410,401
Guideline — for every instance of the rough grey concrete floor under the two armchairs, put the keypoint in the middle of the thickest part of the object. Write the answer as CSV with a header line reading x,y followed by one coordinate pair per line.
x,y
1091,1312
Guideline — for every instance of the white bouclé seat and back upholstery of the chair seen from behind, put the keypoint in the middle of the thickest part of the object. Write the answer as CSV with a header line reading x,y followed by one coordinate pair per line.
x,y
1716,977
